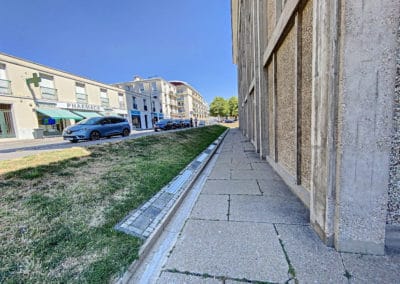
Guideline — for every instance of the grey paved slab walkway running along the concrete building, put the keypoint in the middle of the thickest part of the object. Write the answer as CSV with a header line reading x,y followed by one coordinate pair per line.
x,y
247,226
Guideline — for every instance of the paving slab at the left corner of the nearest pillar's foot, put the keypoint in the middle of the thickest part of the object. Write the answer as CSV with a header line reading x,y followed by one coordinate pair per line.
x,y
312,260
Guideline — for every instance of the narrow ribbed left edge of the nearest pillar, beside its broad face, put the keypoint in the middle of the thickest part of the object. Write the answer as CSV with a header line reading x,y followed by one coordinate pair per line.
x,y
324,117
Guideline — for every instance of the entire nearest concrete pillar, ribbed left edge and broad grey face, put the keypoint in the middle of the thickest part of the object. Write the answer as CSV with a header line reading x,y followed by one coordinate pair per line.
x,y
353,85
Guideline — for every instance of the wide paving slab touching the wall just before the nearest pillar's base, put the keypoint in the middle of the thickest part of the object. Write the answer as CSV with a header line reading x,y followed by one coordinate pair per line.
x,y
249,208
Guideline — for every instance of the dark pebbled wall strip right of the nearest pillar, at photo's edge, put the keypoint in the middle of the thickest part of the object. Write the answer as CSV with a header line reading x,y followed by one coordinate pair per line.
x,y
393,216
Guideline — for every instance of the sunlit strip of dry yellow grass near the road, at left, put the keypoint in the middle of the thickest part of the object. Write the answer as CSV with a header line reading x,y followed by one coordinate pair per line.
x,y
40,159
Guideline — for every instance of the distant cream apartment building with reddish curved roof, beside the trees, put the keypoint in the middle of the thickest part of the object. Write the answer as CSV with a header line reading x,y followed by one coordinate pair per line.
x,y
190,102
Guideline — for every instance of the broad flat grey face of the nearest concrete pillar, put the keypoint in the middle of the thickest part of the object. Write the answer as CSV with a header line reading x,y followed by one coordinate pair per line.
x,y
365,106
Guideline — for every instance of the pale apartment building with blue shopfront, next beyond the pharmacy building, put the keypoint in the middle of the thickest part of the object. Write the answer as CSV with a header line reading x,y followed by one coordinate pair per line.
x,y
149,100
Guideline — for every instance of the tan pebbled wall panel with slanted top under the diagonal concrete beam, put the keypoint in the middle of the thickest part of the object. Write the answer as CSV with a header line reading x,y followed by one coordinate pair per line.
x,y
286,109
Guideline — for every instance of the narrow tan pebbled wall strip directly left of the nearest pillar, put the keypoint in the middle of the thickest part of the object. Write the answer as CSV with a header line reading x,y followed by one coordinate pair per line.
x,y
306,93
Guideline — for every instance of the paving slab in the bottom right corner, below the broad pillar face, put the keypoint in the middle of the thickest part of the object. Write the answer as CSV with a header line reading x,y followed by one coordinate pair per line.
x,y
372,269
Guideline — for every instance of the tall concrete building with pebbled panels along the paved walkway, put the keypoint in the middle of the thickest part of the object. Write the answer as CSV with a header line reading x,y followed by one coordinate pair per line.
x,y
318,99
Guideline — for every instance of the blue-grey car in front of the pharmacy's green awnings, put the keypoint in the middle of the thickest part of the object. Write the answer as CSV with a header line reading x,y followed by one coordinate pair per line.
x,y
97,127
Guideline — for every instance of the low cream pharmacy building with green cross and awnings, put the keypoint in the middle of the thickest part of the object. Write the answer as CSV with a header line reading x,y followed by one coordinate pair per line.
x,y
35,98
